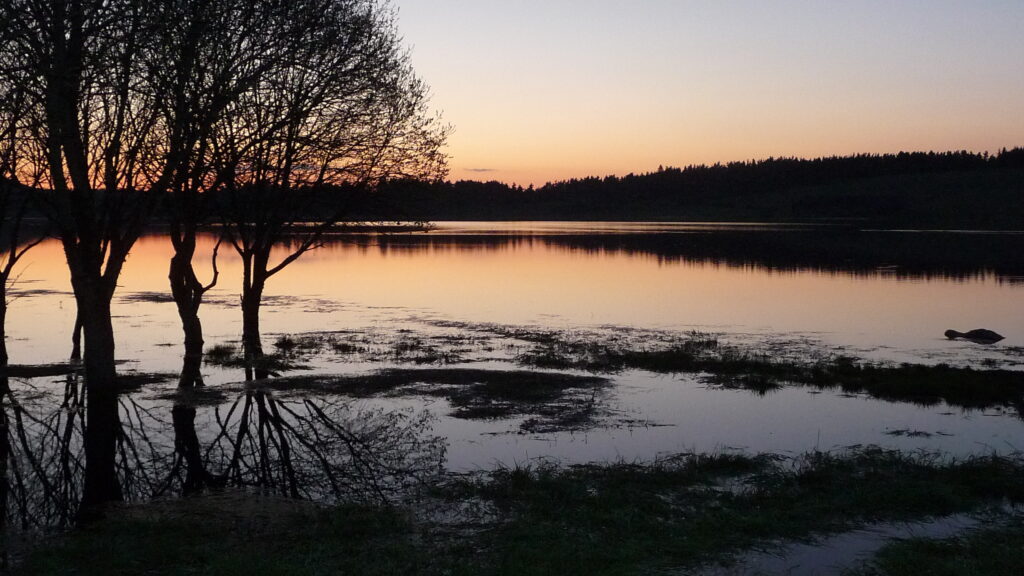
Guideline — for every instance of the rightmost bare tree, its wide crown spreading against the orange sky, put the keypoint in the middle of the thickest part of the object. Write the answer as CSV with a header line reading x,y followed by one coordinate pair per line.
x,y
339,111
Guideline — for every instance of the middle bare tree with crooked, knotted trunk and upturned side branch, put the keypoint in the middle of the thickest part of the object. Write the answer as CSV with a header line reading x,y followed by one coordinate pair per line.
x,y
204,56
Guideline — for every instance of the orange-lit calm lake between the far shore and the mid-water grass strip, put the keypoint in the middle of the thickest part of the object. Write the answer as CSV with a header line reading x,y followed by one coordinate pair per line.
x,y
734,280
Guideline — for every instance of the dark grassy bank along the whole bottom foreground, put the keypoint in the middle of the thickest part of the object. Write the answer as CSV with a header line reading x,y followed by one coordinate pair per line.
x,y
691,514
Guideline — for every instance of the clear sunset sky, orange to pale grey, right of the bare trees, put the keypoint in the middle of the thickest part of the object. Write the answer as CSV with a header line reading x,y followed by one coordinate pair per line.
x,y
541,91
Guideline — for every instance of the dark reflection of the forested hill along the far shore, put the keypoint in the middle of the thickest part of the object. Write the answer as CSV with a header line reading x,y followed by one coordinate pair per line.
x,y
838,251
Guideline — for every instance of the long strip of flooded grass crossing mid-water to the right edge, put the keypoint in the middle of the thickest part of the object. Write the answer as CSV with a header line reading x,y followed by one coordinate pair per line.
x,y
611,351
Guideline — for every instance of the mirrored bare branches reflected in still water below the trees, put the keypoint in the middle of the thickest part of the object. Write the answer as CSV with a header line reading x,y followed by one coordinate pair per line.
x,y
318,448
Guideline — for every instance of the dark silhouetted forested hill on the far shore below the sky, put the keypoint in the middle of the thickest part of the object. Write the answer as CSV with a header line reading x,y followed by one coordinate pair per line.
x,y
936,189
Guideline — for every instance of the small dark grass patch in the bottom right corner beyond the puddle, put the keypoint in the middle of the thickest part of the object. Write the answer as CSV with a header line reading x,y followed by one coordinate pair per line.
x,y
991,552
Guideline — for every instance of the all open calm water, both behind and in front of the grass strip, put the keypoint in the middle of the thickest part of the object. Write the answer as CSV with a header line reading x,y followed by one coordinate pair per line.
x,y
800,291
